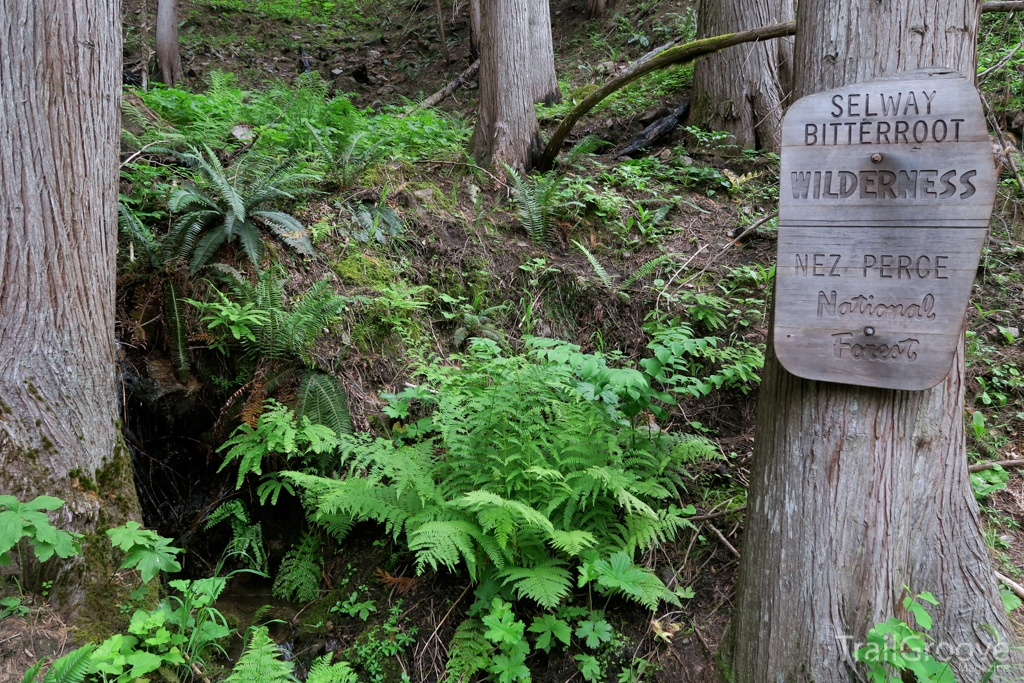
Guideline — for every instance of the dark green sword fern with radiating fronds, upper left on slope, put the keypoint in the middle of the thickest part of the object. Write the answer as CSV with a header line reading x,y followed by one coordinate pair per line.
x,y
226,207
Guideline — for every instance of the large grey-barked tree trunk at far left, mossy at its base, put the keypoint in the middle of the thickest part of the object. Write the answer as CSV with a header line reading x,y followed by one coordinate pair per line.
x,y
60,105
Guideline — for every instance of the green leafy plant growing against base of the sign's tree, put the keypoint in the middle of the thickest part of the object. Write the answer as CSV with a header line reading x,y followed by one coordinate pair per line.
x,y
894,648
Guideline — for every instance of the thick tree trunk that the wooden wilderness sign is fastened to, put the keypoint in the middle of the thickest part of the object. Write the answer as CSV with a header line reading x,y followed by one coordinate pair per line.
x,y
856,492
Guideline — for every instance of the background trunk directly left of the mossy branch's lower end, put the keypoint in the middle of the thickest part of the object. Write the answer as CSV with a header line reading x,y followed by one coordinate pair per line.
x,y
506,123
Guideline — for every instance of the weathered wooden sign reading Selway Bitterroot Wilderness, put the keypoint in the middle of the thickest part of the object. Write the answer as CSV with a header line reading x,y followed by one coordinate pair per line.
x,y
886,195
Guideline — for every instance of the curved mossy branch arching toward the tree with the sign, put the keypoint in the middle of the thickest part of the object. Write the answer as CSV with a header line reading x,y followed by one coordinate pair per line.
x,y
673,56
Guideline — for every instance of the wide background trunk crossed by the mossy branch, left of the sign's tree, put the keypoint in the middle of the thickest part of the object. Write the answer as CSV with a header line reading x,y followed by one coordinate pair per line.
x,y
741,91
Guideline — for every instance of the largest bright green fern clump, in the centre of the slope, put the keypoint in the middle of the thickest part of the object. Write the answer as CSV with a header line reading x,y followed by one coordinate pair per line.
x,y
523,465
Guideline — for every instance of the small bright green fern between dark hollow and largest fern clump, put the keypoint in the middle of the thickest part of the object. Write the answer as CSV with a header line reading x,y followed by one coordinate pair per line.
x,y
278,433
